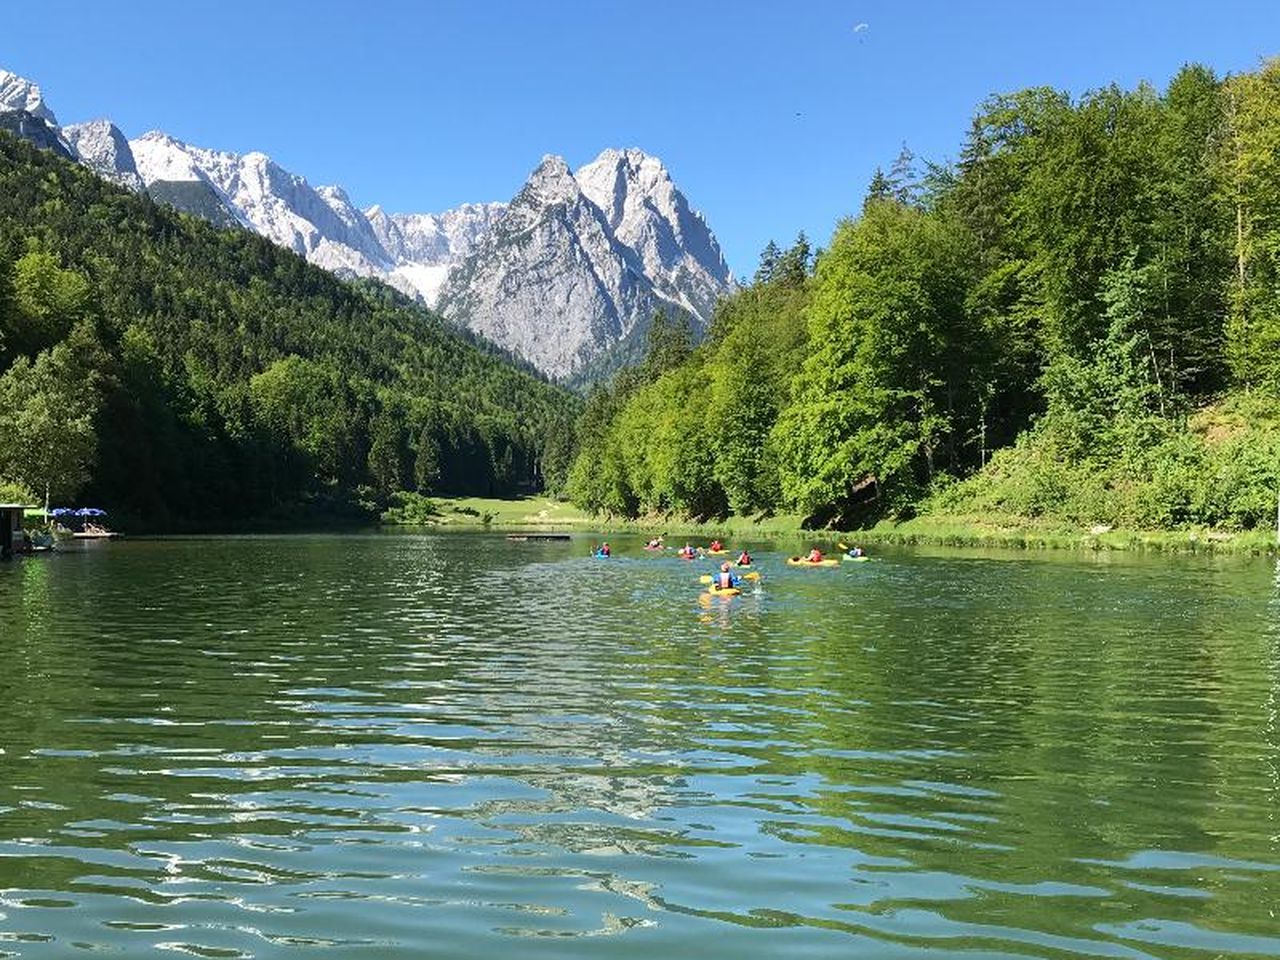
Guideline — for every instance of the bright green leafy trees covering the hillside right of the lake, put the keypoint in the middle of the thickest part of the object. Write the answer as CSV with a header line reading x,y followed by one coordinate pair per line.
x,y
1077,321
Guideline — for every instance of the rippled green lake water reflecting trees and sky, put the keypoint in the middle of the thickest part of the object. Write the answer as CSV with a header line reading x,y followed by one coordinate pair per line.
x,y
452,746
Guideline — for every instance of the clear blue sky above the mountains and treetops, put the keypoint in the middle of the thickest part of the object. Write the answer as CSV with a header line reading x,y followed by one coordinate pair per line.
x,y
771,116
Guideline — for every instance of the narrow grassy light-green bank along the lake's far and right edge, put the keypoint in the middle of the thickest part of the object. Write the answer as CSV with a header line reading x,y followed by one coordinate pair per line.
x,y
1008,533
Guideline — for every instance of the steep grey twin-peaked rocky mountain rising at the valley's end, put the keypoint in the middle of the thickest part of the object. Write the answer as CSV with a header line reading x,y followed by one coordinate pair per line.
x,y
578,264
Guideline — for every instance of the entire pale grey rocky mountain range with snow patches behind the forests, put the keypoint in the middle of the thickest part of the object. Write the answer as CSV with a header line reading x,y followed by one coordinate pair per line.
x,y
566,276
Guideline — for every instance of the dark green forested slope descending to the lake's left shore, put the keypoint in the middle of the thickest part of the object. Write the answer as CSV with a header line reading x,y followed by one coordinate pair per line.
x,y
186,377
